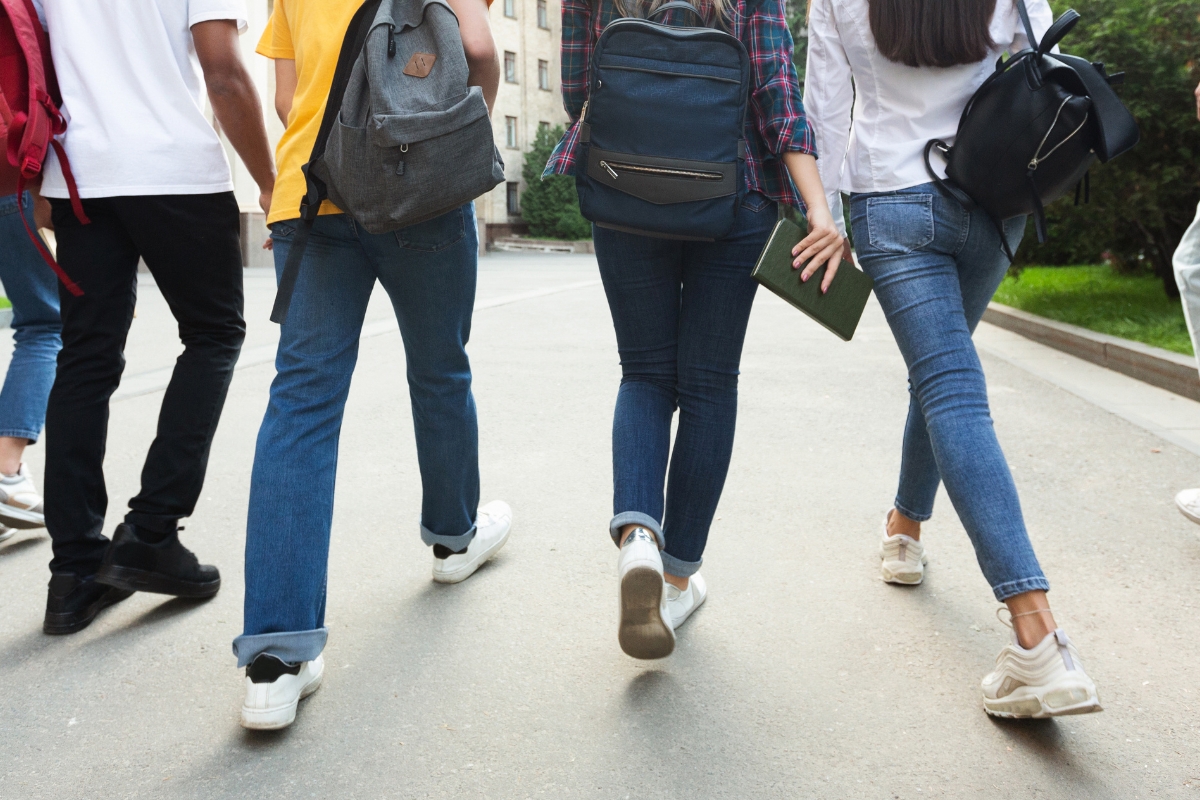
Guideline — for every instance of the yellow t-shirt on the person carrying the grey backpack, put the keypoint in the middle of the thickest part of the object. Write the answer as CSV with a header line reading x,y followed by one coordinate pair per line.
x,y
311,32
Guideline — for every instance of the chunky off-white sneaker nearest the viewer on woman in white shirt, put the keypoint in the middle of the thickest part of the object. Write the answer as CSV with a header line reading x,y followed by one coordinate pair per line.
x,y
1046,682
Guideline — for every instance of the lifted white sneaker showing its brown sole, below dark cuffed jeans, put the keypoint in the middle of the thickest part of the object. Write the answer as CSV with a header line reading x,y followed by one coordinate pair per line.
x,y
646,630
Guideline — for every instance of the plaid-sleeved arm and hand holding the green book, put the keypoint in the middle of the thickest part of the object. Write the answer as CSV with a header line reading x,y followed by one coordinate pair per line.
x,y
779,117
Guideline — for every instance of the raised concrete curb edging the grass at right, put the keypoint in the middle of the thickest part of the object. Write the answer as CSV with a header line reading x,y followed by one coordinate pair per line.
x,y
1156,366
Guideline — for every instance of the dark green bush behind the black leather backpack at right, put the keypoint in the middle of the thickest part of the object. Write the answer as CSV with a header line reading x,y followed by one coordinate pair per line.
x,y
1144,201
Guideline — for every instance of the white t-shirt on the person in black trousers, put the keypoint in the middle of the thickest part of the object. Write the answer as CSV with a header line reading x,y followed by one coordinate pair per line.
x,y
133,94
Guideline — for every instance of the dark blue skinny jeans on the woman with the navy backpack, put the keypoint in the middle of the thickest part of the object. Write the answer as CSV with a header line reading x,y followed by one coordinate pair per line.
x,y
681,311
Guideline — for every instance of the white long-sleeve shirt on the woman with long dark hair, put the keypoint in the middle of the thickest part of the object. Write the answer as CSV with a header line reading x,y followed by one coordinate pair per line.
x,y
897,109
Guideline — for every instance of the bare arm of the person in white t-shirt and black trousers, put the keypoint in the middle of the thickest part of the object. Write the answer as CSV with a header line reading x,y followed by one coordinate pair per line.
x,y
235,101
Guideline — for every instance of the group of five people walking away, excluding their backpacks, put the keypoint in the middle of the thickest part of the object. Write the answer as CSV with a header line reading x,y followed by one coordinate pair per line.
x,y
884,79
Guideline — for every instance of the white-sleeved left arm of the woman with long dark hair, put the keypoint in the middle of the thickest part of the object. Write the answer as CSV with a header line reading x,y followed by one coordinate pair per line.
x,y
829,100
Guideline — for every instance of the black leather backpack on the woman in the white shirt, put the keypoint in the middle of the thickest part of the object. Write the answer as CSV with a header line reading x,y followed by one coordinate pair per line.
x,y
1034,130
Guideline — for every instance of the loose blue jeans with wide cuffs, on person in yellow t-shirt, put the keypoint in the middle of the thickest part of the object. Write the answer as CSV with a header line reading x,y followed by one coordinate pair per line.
x,y
429,270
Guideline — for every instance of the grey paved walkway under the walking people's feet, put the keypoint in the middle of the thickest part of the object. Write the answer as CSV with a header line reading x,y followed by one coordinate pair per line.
x,y
803,677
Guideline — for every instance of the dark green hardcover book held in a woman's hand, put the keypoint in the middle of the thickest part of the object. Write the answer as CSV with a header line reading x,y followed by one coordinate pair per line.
x,y
839,310
